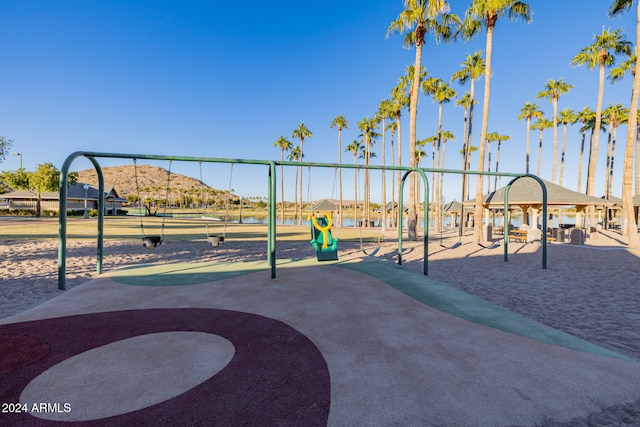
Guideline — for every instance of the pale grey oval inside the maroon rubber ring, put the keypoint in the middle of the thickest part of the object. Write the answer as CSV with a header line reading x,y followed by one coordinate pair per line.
x,y
127,375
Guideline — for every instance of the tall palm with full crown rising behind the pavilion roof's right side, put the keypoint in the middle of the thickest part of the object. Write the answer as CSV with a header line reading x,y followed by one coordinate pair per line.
x,y
602,54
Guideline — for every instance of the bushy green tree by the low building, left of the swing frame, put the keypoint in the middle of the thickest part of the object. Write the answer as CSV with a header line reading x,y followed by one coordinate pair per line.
x,y
46,178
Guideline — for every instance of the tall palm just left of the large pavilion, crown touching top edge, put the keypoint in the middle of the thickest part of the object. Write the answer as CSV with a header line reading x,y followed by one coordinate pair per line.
x,y
486,13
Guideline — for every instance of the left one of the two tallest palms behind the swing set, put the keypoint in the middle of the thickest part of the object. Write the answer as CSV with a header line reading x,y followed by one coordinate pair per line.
x,y
419,18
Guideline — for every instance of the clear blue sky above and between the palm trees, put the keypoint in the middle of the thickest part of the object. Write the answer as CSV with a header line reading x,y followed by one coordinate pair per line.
x,y
226,79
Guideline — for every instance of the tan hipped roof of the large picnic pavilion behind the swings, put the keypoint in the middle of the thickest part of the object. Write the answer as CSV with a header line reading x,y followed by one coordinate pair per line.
x,y
527,191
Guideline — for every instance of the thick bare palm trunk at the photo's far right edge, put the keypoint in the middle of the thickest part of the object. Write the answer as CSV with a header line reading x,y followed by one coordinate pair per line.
x,y
618,7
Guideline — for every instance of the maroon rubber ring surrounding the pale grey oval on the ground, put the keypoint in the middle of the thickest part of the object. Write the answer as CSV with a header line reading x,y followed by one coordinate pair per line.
x,y
277,376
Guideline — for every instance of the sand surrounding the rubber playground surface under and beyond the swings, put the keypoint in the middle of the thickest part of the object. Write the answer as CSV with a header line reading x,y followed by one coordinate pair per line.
x,y
589,291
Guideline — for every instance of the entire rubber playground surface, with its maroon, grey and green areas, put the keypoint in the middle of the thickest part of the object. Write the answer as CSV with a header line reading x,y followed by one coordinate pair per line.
x,y
335,343
